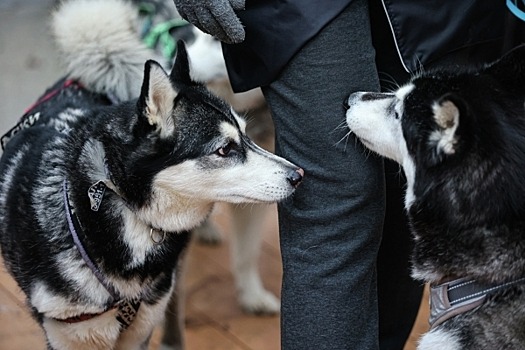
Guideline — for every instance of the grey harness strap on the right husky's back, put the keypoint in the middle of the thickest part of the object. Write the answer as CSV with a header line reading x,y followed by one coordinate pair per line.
x,y
459,296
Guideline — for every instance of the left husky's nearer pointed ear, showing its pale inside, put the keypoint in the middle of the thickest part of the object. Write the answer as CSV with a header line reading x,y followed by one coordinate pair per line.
x,y
157,98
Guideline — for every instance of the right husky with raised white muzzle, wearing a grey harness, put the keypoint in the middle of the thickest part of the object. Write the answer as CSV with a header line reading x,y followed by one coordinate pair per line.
x,y
460,138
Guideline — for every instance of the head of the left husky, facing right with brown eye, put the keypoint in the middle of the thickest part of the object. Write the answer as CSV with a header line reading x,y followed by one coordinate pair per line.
x,y
188,149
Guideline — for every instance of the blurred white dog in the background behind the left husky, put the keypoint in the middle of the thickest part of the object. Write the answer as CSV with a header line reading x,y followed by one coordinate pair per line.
x,y
208,66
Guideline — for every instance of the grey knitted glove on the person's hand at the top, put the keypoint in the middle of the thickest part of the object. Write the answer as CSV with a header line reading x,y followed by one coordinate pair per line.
x,y
215,17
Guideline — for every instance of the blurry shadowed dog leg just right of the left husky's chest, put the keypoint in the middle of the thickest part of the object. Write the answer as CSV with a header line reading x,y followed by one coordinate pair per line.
x,y
173,335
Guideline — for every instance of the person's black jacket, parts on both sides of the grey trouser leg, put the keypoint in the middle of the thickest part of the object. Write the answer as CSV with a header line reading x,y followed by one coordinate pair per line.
x,y
422,32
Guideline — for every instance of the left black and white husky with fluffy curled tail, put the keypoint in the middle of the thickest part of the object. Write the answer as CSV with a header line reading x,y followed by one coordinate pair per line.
x,y
98,192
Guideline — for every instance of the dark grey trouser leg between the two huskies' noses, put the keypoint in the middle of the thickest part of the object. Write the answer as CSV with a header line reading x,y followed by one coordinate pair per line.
x,y
330,229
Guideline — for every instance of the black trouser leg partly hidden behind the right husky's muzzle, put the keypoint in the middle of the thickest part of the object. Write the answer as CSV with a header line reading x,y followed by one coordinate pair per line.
x,y
399,294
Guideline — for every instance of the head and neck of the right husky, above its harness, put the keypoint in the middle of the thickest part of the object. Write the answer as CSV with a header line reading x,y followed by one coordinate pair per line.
x,y
460,138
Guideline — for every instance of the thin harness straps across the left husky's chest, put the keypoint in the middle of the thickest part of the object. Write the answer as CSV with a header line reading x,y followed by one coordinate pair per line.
x,y
126,308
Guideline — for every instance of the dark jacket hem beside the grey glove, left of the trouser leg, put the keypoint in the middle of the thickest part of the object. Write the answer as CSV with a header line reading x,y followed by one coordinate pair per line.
x,y
275,31
